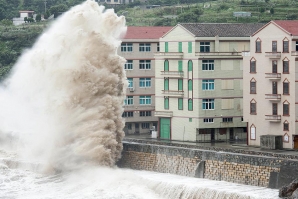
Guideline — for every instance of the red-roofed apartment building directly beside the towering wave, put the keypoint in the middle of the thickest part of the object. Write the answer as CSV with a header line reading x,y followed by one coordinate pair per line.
x,y
138,48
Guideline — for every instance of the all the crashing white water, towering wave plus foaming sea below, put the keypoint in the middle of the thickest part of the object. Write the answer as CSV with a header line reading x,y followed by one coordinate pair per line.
x,y
61,124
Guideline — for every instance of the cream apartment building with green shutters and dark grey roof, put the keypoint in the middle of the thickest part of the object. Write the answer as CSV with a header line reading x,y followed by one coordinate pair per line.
x,y
199,78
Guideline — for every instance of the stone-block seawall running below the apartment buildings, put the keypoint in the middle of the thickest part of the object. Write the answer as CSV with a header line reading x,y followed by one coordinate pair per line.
x,y
265,169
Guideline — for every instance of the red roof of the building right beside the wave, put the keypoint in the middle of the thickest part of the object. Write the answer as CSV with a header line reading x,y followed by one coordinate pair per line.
x,y
146,32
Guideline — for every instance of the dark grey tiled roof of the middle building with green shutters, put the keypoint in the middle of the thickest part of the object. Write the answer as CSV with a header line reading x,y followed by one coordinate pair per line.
x,y
221,29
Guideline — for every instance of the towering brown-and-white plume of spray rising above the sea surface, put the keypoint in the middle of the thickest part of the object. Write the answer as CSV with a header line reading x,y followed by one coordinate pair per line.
x,y
64,97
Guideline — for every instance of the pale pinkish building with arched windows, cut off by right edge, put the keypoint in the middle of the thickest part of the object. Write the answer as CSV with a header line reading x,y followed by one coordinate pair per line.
x,y
270,83
